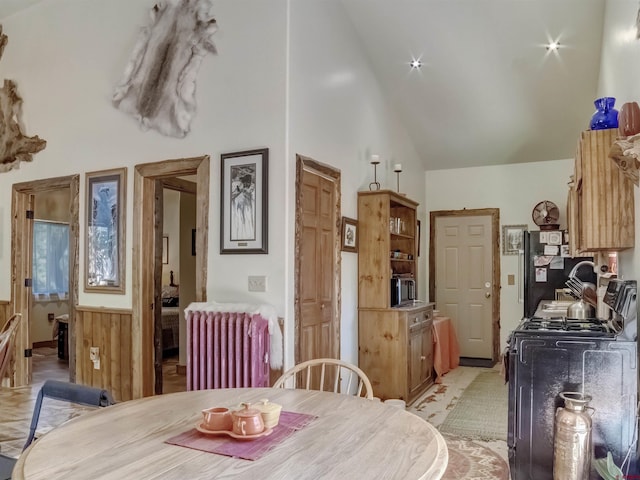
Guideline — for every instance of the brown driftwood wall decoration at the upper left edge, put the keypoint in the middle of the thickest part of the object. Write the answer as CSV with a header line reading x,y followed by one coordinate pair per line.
x,y
15,147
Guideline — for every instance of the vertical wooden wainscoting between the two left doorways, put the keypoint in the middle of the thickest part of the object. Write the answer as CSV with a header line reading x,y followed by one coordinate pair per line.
x,y
110,331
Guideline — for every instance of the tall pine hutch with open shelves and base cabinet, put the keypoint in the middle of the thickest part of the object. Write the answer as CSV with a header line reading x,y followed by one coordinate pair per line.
x,y
395,344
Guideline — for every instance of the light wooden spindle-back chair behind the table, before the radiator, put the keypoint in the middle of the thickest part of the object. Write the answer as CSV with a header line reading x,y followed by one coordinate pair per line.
x,y
327,374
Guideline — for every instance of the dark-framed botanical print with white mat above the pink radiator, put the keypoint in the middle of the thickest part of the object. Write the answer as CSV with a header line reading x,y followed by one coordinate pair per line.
x,y
244,203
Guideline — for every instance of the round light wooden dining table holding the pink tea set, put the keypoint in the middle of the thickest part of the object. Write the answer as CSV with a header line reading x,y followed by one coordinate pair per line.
x,y
350,437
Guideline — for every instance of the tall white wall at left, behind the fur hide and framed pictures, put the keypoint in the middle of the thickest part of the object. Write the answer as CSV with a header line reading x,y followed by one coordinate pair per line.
x,y
68,55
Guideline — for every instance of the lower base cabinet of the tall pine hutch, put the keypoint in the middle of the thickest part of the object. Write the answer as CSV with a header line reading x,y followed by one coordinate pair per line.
x,y
396,350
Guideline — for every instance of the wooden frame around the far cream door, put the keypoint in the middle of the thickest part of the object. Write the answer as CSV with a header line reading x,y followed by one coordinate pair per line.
x,y
494,213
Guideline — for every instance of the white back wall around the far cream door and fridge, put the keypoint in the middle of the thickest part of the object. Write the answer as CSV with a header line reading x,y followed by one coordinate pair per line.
x,y
514,189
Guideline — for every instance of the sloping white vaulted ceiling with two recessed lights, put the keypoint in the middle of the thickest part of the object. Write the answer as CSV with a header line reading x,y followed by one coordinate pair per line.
x,y
488,91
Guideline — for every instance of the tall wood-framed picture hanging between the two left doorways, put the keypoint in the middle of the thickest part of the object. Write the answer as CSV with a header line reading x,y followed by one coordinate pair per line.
x,y
105,220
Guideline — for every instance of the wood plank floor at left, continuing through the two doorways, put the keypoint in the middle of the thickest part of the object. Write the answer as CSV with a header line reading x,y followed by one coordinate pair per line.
x,y
16,404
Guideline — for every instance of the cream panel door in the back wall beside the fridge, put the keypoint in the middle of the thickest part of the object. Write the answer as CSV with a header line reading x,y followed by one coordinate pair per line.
x,y
464,260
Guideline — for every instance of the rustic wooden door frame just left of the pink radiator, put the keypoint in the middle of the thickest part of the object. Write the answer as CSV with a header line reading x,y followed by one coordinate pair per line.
x,y
148,183
